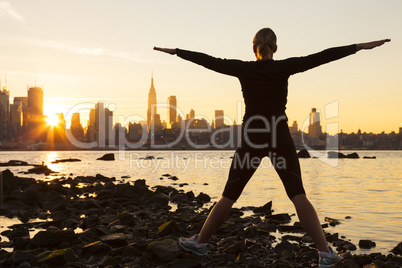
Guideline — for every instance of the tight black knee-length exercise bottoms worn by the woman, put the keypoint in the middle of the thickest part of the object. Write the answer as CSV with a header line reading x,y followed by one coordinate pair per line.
x,y
264,135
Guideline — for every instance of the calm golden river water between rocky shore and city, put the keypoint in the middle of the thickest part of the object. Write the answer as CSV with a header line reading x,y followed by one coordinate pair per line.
x,y
367,190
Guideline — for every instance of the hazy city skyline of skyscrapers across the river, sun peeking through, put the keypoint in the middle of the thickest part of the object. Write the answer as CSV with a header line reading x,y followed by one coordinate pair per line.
x,y
23,125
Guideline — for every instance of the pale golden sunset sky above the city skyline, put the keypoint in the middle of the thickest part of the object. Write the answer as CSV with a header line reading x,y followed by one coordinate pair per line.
x,y
82,52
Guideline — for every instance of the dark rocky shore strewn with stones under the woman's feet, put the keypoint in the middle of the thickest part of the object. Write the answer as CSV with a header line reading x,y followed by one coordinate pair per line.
x,y
99,222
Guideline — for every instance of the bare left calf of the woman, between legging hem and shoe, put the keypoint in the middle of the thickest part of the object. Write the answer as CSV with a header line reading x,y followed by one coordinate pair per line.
x,y
215,219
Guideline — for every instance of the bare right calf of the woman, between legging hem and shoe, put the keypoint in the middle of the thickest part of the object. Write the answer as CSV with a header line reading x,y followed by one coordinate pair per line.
x,y
310,222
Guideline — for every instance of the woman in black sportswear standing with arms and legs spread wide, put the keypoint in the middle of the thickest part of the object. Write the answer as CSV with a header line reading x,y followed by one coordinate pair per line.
x,y
265,131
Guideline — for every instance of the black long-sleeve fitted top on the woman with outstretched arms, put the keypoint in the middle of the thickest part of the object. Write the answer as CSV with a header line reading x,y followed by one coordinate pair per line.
x,y
264,83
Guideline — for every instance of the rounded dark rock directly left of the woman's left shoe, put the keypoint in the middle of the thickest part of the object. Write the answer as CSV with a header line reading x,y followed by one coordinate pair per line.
x,y
166,250
